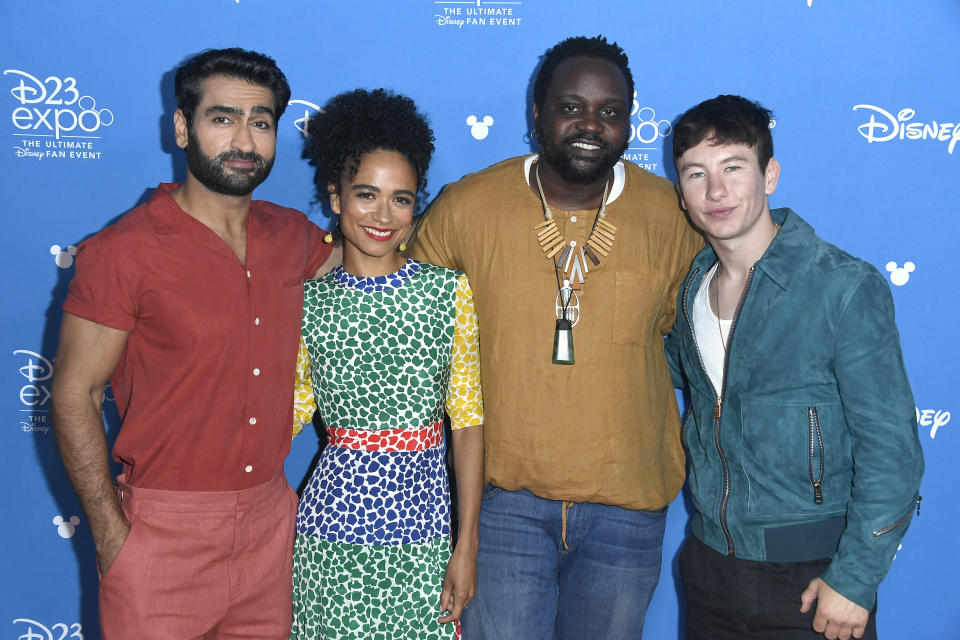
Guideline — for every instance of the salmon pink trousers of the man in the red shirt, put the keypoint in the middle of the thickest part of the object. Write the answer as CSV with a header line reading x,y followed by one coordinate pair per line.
x,y
202,565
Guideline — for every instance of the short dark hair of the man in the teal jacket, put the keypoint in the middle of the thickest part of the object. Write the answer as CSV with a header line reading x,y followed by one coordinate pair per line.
x,y
725,120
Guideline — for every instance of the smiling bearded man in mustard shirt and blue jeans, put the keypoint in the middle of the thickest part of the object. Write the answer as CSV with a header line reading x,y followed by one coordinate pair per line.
x,y
581,460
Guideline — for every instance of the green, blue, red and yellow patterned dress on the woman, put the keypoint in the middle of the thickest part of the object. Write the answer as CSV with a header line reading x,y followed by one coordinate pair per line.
x,y
381,358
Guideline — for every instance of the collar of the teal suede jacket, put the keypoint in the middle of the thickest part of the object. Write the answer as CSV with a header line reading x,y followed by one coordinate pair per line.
x,y
785,255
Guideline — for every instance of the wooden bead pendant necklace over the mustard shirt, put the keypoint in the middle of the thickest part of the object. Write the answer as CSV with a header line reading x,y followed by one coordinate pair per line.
x,y
552,242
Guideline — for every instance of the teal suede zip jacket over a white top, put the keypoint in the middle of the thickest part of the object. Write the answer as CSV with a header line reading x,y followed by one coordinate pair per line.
x,y
813,452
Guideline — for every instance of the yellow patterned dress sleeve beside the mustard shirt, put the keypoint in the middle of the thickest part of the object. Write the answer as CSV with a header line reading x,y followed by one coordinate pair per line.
x,y
464,398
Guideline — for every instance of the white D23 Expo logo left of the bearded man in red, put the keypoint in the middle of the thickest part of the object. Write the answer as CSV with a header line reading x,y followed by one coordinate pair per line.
x,y
53,120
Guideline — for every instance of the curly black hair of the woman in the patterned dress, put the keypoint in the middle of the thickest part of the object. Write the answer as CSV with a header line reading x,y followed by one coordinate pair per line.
x,y
358,122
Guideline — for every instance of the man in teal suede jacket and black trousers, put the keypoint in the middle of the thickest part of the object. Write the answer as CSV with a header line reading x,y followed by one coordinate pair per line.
x,y
804,458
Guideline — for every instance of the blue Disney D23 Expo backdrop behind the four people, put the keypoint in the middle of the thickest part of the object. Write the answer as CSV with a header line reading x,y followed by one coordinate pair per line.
x,y
867,101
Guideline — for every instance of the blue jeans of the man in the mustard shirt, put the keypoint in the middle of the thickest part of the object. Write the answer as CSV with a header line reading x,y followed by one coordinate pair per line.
x,y
531,586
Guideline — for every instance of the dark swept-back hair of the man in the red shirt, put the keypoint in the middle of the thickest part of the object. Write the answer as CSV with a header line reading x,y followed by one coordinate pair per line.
x,y
250,66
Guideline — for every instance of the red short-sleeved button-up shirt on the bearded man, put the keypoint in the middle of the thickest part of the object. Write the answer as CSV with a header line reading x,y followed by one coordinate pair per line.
x,y
205,384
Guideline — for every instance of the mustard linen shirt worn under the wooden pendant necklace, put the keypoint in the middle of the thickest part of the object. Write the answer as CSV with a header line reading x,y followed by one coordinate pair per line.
x,y
607,429
